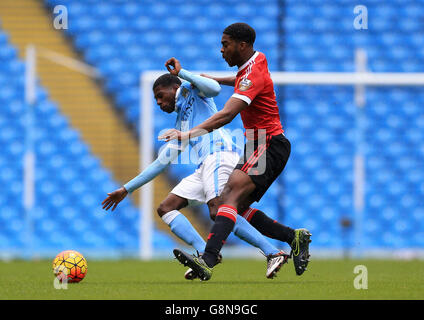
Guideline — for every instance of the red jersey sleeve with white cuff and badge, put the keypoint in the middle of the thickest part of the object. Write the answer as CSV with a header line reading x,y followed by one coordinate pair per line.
x,y
248,86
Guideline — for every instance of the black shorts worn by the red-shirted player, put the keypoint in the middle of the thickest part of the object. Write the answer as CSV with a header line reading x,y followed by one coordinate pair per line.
x,y
264,160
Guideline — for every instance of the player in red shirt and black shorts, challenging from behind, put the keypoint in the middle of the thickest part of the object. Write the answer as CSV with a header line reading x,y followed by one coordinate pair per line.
x,y
265,155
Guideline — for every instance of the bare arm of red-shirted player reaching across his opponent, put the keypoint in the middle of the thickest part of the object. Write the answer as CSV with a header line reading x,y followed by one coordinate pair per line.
x,y
231,108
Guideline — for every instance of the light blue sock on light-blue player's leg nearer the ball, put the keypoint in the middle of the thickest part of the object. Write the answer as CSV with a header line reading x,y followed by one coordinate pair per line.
x,y
184,230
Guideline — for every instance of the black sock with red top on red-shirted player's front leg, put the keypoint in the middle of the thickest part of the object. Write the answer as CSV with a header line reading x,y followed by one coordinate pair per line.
x,y
224,224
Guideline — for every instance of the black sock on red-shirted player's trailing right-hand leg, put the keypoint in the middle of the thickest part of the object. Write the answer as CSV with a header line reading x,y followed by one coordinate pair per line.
x,y
271,228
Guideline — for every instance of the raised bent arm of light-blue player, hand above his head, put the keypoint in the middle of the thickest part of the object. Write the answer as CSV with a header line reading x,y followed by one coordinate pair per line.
x,y
208,87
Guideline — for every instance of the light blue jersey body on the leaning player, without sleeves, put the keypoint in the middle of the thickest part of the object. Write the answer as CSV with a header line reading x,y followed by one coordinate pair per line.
x,y
193,108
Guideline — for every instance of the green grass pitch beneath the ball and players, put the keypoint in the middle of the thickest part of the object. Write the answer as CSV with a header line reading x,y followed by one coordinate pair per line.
x,y
234,279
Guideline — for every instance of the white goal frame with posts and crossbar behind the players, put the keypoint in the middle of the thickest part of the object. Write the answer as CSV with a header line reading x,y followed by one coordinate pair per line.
x,y
359,80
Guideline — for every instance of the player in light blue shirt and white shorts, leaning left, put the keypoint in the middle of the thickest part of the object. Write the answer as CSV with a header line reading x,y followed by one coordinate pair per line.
x,y
217,156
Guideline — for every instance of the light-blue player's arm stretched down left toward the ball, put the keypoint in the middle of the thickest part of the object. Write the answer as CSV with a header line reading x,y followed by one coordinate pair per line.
x,y
165,157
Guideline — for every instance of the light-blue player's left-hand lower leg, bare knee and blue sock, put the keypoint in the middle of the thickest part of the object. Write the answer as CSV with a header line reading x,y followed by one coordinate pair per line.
x,y
169,212
